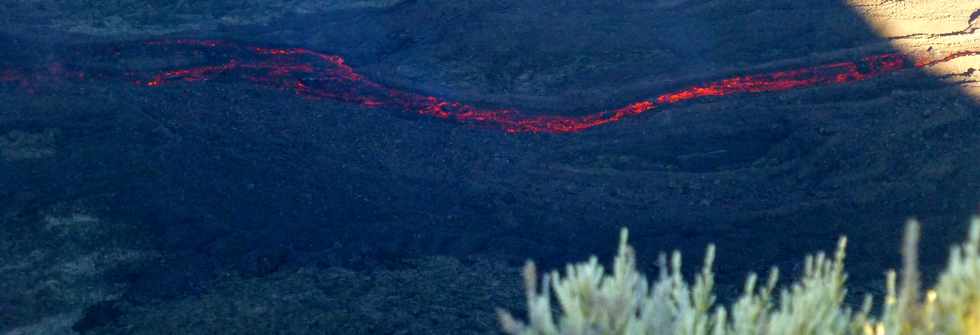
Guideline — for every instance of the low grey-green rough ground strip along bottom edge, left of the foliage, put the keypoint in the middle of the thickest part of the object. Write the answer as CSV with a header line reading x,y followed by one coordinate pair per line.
x,y
428,296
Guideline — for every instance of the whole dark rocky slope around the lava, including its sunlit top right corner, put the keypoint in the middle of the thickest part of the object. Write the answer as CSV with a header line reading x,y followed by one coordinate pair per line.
x,y
224,205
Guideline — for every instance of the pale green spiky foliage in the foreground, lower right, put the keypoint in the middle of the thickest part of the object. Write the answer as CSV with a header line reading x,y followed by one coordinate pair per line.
x,y
592,301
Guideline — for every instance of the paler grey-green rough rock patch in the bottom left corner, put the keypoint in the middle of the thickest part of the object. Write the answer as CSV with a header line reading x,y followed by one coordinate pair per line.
x,y
58,263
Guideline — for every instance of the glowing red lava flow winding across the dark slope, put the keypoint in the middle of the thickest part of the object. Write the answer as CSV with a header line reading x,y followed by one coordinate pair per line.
x,y
318,75
